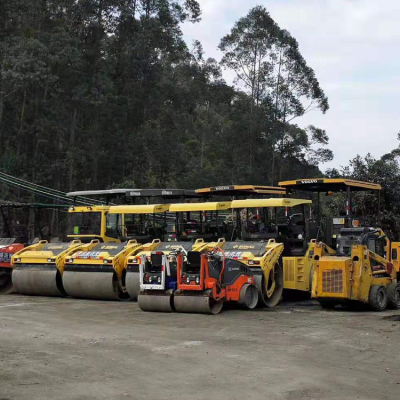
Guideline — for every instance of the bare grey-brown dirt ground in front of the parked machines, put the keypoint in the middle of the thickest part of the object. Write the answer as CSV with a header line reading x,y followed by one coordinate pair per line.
x,y
64,349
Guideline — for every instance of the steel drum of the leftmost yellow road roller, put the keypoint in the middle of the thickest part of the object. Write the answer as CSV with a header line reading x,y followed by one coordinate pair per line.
x,y
38,280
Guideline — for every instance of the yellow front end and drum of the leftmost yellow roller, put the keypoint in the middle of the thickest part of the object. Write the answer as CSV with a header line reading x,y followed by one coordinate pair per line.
x,y
38,268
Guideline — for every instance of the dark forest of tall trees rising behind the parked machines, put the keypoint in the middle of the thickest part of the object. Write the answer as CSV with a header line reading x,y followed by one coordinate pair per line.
x,y
104,93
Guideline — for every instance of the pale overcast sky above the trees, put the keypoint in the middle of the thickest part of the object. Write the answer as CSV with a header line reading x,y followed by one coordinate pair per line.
x,y
354,48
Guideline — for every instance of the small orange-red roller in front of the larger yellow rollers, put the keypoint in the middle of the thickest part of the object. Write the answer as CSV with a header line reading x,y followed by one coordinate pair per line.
x,y
207,280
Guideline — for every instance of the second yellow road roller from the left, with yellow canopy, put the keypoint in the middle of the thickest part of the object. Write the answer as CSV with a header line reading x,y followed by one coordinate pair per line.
x,y
101,273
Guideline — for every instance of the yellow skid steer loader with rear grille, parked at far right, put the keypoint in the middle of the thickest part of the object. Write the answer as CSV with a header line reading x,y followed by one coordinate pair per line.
x,y
361,272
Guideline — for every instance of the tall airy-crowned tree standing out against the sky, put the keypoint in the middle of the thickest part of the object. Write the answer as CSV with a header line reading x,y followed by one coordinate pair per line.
x,y
269,65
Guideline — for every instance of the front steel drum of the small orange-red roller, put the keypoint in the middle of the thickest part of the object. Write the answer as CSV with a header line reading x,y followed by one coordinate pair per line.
x,y
197,304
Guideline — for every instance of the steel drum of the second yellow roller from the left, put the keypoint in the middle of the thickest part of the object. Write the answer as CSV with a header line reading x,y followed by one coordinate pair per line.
x,y
92,285
